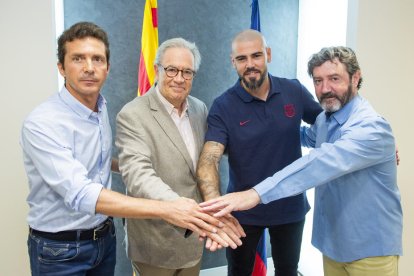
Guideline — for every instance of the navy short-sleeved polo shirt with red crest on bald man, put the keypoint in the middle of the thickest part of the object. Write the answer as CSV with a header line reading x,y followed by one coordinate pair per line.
x,y
261,138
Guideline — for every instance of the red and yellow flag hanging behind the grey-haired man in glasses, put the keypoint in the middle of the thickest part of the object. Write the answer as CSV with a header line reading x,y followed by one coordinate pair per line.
x,y
149,45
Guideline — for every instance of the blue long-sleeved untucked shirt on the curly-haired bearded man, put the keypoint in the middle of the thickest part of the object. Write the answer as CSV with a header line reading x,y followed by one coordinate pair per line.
x,y
353,167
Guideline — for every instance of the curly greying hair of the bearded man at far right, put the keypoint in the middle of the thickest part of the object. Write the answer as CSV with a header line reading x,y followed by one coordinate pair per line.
x,y
345,55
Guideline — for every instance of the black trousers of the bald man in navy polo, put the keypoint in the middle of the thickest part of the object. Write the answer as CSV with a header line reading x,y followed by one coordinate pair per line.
x,y
286,241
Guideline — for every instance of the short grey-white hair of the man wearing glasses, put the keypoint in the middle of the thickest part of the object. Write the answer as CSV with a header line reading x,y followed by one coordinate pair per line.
x,y
178,42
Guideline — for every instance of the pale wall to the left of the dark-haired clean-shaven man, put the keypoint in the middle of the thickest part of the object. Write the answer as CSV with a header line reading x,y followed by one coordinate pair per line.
x,y
27,77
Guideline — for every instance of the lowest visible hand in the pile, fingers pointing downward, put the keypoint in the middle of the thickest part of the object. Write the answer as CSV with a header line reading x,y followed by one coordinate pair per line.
x,y
230,232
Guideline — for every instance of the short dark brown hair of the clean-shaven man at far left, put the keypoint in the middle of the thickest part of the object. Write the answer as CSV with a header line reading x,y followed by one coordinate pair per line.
x,y
78,31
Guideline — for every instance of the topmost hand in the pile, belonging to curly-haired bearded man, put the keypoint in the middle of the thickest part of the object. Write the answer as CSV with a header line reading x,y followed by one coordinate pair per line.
x,y
228,203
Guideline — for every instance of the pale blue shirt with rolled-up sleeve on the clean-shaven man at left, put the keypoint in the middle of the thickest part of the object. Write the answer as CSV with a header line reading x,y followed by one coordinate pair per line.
x,y
67,157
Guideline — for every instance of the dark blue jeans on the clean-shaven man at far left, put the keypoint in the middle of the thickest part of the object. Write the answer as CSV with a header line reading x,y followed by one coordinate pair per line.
x,y
74,258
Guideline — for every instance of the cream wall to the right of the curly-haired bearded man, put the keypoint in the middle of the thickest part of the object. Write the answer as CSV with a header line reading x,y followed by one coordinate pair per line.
x,y
383,38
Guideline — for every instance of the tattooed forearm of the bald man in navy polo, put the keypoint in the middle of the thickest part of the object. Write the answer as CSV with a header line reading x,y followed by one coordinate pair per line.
x,y
207,170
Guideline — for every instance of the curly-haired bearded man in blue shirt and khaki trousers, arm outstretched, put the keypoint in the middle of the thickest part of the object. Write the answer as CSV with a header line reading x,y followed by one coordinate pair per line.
x,y
358,217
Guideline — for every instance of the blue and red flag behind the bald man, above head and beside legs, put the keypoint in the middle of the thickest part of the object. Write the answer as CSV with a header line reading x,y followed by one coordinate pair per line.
x,y
260,264
